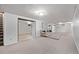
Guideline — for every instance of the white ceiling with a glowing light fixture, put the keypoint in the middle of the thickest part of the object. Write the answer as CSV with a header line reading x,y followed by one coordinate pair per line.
x,y
55,12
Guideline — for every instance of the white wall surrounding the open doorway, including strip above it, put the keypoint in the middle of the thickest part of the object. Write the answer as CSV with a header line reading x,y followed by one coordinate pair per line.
x,y
10,28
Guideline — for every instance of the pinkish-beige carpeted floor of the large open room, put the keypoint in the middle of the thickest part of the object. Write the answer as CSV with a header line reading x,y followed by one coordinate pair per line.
x,y
65,45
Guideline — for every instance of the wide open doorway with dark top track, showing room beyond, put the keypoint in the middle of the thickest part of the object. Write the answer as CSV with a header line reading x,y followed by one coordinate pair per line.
x,y
26,29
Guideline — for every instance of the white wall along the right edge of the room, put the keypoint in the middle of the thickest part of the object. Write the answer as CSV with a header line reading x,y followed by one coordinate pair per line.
x,y
76,27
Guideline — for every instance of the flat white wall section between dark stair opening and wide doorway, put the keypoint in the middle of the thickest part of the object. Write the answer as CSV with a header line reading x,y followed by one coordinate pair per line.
x,y
10,28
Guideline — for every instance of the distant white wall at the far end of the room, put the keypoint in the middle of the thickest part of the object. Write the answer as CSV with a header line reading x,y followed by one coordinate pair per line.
x,y
65,27
